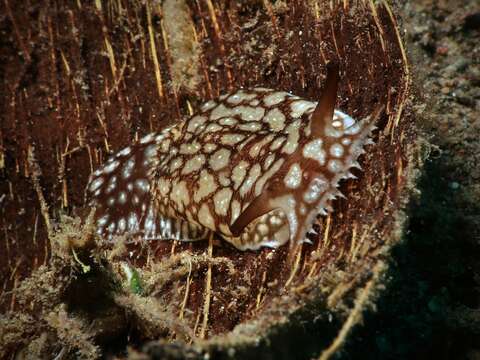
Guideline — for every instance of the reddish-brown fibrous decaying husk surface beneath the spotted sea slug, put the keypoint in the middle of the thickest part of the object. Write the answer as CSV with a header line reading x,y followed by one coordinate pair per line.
x,y
84,80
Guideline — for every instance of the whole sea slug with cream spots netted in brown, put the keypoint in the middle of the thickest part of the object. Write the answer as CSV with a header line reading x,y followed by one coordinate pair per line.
x,y
255,166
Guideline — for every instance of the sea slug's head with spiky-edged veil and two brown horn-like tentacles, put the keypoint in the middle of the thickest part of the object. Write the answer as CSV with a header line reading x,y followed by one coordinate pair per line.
x,y
308,180
